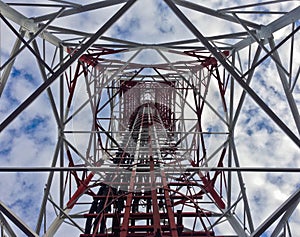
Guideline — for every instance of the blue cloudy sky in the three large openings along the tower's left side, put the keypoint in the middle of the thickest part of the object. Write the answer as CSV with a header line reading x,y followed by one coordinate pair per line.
x,y
29,140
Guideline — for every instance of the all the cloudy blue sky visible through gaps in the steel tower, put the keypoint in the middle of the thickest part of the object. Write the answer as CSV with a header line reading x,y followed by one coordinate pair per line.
x,y
31,138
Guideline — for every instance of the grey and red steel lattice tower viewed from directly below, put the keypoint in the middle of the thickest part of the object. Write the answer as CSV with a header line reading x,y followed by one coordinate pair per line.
x,y
147,131
